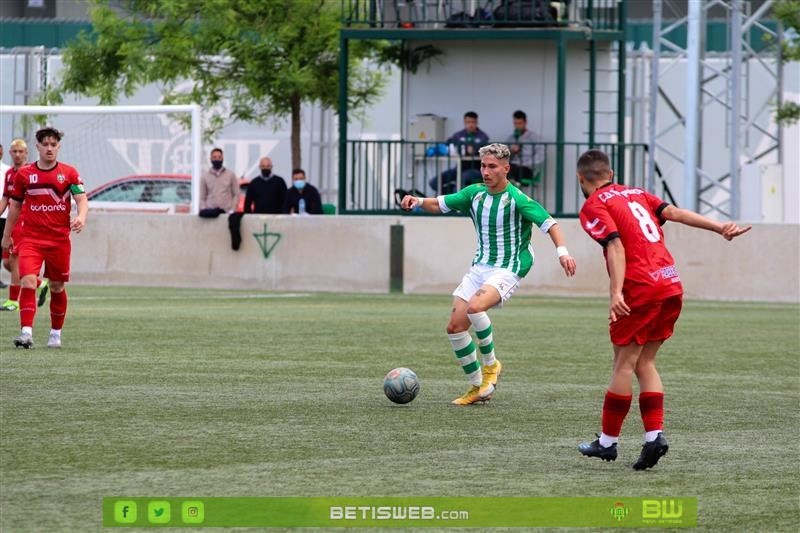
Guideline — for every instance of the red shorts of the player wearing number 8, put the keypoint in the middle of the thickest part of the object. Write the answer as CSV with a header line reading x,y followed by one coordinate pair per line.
x,y
650,322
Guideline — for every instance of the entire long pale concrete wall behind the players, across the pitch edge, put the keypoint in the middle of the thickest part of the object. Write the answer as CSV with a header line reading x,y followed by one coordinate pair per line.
x,y
351,254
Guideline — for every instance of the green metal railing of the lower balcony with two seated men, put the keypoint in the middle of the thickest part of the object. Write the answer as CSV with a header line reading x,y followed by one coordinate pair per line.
x,y
377,170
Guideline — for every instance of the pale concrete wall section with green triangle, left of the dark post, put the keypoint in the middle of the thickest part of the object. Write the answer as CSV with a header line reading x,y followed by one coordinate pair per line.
x,y
313,253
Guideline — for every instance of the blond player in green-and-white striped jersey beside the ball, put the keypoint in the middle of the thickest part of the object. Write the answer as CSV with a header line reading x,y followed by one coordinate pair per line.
x,y
503,217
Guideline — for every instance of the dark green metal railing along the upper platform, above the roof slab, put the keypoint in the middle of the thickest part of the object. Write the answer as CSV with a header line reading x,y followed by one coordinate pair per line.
x,y
597,14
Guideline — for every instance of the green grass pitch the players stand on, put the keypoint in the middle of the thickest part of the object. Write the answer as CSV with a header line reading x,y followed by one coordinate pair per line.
x,y
163,392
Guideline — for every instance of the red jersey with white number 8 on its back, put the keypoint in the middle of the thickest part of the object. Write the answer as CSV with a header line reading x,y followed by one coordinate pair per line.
x,y
634,216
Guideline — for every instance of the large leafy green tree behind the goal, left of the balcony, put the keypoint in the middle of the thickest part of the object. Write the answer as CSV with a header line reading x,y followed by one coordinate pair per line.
x,y
266,57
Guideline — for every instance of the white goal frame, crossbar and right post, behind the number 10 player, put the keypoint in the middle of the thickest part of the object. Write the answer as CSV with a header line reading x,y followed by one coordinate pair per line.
x,y
196,126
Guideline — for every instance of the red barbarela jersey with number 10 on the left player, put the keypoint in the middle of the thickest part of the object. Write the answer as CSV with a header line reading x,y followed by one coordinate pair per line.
x,y
46,197
